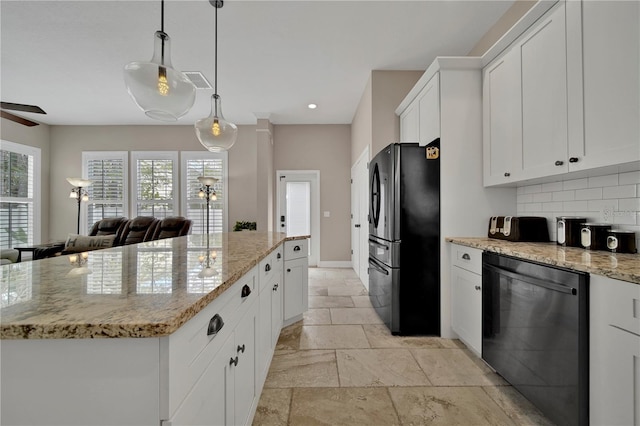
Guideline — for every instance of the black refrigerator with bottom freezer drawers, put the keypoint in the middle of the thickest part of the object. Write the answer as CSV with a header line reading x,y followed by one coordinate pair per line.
x,y
404,237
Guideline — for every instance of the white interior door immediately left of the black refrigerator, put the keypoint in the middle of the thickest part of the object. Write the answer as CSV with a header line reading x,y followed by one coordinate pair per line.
x,y
359,217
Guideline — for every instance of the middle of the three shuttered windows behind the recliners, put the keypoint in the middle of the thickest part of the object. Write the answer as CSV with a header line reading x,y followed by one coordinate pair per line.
x,y
155,182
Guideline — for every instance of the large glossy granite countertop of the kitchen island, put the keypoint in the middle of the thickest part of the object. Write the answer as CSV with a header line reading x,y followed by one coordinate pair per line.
x,y
141,290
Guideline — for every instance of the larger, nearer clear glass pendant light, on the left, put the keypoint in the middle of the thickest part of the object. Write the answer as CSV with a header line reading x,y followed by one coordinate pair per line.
x,y
161,91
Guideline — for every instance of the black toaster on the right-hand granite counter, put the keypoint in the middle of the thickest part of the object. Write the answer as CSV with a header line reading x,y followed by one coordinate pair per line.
x,y
519,228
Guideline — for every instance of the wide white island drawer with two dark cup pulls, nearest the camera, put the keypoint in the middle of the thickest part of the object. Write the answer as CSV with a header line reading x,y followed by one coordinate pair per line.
x,y
190,349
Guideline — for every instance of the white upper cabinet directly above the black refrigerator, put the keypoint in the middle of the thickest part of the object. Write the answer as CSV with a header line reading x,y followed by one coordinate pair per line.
x,y
420,121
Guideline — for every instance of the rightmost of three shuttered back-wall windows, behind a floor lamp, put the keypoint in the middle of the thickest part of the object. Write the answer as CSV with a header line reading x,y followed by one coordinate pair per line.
x,y
208,164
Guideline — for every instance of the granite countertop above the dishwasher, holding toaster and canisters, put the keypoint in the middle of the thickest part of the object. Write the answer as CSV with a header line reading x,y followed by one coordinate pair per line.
x,y
620,266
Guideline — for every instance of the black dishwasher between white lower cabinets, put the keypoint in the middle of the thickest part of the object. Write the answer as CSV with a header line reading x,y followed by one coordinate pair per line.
x,y
535,333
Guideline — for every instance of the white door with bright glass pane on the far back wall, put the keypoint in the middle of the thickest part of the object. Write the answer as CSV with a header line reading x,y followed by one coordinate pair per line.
x,y
299,207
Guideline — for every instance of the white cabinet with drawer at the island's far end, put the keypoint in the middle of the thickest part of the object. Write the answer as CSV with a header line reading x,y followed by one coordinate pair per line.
x,y
296,280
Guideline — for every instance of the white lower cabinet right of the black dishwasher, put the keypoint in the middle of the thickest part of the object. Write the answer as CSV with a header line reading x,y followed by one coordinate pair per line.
x,y
614,352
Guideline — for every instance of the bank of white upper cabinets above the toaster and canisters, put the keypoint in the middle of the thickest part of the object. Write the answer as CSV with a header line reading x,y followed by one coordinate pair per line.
x,y
565,95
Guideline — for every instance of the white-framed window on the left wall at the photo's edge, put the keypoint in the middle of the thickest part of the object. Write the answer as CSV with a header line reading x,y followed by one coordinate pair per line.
x,y
19,205
